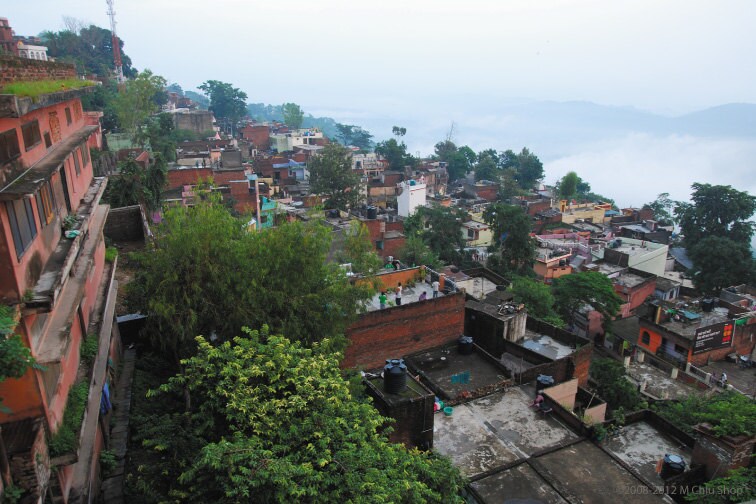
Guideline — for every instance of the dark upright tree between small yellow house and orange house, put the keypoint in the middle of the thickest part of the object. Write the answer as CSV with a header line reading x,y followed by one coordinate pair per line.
x,y
513,250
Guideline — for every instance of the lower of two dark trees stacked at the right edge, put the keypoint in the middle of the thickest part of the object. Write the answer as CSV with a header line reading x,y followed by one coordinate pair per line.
x,y
719,263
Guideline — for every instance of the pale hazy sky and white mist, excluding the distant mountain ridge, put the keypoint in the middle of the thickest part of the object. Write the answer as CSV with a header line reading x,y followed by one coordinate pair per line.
x,y
424,64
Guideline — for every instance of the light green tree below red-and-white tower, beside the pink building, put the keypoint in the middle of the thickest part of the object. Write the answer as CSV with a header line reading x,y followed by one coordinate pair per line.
x,y
137,101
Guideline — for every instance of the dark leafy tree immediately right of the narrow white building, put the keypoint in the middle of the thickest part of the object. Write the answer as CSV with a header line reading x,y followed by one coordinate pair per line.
x,y
440,228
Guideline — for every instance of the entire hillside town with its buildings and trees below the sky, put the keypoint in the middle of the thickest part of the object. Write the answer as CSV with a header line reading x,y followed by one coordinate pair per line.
x,y
199,303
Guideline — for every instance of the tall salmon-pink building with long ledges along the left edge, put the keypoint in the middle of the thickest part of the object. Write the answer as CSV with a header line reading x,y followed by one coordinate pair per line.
x,y
60,287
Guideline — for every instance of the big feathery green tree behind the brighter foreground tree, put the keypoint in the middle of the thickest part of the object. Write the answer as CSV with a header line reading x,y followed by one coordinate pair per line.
x,y
207,275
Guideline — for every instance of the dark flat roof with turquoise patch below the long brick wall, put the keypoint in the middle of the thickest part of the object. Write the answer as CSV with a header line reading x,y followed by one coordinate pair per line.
x,y
440,364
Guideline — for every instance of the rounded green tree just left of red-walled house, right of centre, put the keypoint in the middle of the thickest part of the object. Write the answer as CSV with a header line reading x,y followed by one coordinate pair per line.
x,y
573,292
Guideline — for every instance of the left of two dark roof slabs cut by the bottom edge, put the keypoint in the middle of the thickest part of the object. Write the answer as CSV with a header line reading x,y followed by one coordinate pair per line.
x,y
520,484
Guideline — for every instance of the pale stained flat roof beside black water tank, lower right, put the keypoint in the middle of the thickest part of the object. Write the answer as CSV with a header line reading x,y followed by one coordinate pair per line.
x,y
641,446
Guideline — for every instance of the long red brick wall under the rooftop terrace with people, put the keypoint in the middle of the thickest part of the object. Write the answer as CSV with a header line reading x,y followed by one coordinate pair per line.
x,y
402,330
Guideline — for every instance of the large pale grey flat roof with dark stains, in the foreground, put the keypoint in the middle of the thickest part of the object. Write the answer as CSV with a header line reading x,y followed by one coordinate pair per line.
x,y
496,430
